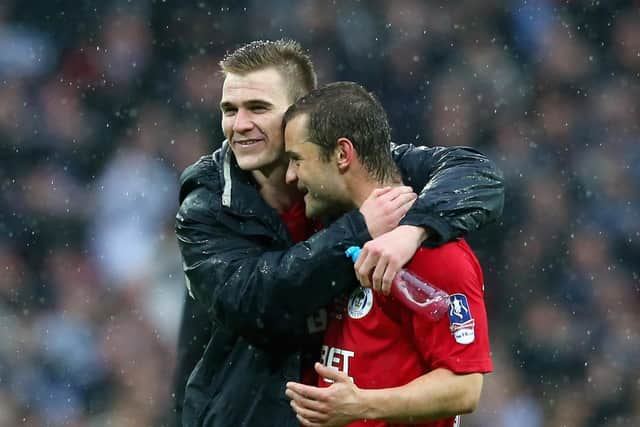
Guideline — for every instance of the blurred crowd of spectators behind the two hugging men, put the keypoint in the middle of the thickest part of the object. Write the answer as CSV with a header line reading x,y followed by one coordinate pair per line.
x,y
103,104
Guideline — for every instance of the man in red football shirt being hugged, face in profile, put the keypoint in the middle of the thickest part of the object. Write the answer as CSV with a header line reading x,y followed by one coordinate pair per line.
x,y
384,364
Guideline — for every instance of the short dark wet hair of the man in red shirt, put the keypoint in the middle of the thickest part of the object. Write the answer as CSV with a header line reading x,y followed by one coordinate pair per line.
x,y
347,110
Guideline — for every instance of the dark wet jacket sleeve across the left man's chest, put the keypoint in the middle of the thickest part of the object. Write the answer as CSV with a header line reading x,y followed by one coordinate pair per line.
x,y
253,289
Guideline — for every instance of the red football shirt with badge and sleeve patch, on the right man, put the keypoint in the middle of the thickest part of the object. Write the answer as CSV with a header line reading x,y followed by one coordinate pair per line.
x,y
379,343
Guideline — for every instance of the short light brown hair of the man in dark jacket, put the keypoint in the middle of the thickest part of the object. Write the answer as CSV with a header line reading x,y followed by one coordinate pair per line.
x,y
287,56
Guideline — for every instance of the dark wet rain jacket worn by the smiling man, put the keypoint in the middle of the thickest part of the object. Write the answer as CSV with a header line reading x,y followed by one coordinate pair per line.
x,y
264,295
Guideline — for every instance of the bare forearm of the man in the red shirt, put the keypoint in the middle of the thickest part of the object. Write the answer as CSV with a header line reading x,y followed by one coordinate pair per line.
x,y
436,395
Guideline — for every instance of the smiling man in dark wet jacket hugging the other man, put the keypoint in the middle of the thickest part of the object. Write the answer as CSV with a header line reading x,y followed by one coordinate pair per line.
x,y
238,222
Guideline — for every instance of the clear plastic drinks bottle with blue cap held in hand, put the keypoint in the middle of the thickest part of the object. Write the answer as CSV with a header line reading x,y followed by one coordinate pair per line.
x,y
415,293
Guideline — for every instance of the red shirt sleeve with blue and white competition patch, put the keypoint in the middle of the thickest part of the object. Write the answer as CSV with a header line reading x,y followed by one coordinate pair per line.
x,y
460,340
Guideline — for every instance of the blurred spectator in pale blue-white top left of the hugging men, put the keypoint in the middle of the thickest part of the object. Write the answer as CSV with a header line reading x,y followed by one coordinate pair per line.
x,y
136,195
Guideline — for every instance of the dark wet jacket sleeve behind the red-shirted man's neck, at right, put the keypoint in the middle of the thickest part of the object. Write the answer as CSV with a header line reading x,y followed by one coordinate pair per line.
x,y
462,190
